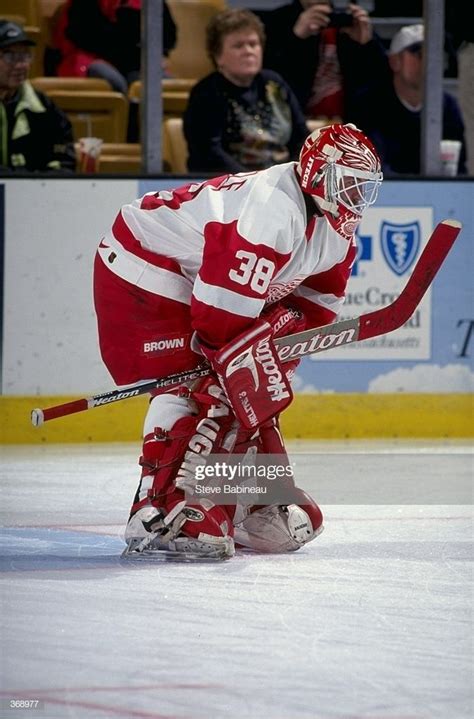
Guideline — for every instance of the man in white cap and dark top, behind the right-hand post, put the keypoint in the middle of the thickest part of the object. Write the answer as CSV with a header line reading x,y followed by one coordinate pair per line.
x,y
390,114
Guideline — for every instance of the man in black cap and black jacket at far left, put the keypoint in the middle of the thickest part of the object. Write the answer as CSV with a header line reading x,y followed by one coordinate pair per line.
x,y
36,136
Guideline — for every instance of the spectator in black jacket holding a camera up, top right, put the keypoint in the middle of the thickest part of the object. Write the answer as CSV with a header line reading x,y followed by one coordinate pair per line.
x,y
324,63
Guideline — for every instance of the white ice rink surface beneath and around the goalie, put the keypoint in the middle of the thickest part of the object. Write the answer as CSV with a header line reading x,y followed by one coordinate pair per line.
x,y
372,620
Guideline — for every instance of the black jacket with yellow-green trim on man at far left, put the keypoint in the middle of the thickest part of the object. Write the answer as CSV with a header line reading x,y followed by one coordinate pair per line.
x,y
35,135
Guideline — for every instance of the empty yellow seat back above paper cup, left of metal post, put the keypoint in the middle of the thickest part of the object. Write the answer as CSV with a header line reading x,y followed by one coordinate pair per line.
x,y
94,113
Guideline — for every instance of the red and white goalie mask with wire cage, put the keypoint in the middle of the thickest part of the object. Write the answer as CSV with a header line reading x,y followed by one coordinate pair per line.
x,y
340,168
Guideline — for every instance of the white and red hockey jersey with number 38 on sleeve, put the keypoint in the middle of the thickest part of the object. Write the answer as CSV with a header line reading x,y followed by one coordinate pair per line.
x,y
231,245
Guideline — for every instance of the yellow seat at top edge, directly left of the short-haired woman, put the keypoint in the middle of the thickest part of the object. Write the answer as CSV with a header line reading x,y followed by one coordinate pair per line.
x,y
189,58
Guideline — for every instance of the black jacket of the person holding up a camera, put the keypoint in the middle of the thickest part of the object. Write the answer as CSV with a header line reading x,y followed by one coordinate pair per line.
x,y
297,60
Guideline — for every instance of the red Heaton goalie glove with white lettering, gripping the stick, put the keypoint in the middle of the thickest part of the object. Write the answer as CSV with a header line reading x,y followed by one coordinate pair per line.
x,y
250,371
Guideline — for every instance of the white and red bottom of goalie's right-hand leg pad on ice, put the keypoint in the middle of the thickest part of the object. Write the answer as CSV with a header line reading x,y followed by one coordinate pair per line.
x,y
279,528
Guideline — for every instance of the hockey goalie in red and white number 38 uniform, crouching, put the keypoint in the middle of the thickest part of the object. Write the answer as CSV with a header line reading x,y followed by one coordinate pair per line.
x,y
217,270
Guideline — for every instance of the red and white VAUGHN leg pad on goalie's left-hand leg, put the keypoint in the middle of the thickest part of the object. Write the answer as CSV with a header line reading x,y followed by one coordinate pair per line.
x,y
159,513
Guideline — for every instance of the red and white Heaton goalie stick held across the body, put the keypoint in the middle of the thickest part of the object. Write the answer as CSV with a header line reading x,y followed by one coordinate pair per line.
x,y
317,339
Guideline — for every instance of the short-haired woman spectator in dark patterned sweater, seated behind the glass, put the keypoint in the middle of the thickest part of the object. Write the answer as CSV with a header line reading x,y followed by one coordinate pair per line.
x,y
241,117
